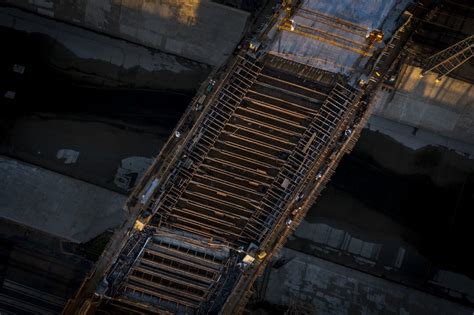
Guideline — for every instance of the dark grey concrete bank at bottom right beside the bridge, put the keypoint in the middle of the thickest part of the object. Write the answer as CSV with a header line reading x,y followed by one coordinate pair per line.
x,y
333,289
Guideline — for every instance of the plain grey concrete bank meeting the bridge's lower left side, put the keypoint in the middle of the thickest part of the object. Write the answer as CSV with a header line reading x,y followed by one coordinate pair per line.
x,y
57,204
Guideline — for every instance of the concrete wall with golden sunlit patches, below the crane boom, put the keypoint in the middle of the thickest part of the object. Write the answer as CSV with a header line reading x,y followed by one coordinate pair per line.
x,y
445,108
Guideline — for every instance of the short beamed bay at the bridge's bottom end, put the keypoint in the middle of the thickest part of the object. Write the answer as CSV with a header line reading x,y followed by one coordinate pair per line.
x,y
175,272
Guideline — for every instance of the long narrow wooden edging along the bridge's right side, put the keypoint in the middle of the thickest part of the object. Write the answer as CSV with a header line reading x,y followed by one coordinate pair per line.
x,y
356,117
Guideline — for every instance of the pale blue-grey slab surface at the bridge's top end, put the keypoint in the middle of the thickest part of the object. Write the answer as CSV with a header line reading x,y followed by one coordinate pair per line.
x,y
366,14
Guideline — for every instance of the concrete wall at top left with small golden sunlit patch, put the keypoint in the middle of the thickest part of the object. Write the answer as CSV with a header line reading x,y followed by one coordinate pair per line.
x,y
199,30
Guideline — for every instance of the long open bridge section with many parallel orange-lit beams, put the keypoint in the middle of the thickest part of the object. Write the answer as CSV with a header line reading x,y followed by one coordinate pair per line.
x,y
262,118
